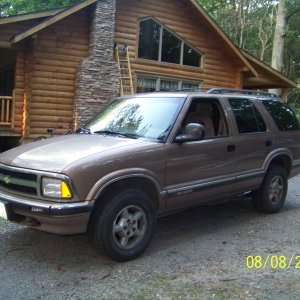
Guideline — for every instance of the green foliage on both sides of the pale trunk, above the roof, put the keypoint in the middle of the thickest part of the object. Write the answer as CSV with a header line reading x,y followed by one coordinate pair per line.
x,y
250,24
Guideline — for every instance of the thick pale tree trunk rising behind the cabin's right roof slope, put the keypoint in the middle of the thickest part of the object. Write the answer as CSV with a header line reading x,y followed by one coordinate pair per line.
x,y
279,37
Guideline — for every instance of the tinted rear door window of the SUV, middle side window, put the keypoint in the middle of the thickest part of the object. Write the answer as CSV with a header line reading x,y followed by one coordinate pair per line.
x,y
248,118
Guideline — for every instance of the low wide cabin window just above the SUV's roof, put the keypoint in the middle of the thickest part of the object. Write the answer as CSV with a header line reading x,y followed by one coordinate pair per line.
x,y
146,84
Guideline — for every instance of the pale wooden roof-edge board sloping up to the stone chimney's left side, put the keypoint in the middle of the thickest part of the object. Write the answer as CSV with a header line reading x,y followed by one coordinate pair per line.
x,y
55,18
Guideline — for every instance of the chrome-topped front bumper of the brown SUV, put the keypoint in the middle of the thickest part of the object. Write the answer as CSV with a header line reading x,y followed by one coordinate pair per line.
x,y
53,217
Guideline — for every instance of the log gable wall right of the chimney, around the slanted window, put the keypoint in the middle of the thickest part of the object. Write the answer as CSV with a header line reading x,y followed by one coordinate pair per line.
x,y
220,68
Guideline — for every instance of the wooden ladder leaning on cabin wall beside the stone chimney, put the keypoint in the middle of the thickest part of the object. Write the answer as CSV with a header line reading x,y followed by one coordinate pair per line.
x,y
123,62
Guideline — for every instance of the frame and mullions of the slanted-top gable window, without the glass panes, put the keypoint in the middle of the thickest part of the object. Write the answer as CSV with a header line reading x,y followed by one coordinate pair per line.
x,y
160,46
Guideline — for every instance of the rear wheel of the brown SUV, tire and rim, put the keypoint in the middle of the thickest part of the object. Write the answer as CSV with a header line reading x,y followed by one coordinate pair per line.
x,y
270,197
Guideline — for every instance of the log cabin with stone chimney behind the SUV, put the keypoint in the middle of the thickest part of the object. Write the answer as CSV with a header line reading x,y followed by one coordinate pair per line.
x,y
60,67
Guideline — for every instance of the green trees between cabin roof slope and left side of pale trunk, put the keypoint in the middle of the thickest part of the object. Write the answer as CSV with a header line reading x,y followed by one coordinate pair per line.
x,y
249,23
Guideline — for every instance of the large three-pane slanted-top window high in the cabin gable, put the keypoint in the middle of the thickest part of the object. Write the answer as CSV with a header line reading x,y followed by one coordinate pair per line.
x,y
158,43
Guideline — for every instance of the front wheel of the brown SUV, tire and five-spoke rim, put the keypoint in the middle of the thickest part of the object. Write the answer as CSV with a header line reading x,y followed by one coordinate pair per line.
x,y
124,226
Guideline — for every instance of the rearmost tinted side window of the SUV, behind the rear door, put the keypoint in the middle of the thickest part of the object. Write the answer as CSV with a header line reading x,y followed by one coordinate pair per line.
x,y
282,114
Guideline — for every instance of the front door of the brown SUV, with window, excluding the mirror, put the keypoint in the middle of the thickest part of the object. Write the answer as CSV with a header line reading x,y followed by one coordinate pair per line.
x,y
201,170
